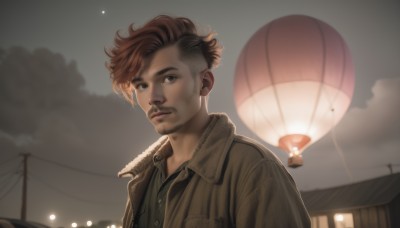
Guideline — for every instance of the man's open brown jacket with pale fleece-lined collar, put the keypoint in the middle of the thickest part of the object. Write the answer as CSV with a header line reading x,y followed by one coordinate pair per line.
x,y
231,181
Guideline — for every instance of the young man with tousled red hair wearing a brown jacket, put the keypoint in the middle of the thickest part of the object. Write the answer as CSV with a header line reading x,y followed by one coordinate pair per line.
x,y
199,173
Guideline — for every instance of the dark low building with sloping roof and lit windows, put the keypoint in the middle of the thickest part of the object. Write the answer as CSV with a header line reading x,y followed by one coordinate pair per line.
x,y
370,203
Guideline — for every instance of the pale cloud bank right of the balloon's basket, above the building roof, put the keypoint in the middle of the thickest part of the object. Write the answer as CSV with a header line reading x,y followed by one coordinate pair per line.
x,y
368,137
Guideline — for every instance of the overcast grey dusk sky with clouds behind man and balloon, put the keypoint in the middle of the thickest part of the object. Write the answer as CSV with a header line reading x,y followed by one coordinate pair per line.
x,y
56,101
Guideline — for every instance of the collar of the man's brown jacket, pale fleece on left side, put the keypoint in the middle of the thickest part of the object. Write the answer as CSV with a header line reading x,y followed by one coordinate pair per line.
x,y
208,157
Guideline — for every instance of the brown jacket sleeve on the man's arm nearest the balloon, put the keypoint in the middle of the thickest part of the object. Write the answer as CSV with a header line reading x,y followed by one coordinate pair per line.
x,y
269,198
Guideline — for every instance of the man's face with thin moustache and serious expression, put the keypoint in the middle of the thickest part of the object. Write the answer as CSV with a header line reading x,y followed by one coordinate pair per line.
x,y
168,90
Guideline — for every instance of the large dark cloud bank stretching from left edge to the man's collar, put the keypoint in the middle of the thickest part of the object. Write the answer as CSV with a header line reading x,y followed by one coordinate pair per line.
x,y
43,100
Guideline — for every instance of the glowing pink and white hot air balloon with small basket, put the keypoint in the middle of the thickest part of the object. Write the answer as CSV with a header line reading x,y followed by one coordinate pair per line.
x,y
294,81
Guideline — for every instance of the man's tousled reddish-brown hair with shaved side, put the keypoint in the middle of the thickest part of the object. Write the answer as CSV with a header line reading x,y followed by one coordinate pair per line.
x,y
128,54
